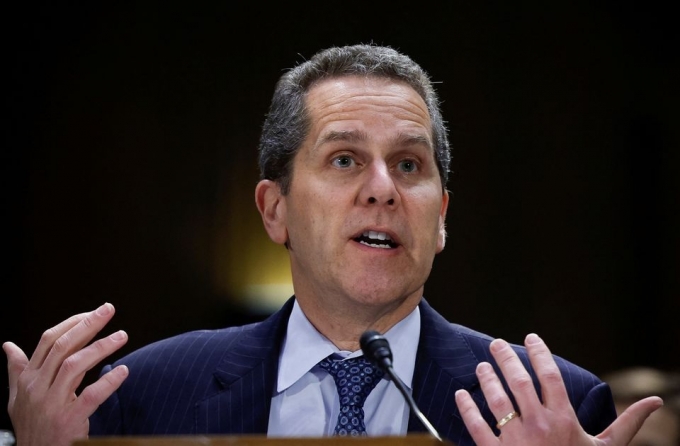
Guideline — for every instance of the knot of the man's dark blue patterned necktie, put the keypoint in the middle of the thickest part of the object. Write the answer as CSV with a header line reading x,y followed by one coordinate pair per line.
x,y
354,378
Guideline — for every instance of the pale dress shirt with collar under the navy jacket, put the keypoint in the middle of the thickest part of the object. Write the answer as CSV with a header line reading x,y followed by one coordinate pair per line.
x,y
305,401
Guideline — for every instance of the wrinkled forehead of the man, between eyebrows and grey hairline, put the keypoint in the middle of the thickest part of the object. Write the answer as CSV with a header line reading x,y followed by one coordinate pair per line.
x,y
366,100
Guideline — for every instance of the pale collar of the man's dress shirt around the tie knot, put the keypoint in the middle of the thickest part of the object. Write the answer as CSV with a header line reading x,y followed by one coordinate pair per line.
x,y
304,347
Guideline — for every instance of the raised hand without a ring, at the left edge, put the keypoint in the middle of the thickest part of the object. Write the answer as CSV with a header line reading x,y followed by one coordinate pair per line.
x,y
43,405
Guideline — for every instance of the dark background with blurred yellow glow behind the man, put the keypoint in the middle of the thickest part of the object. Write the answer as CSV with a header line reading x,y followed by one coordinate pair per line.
x,y
129,165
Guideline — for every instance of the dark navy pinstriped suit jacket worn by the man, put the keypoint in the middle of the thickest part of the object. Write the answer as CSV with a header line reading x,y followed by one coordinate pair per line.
x,y
220,382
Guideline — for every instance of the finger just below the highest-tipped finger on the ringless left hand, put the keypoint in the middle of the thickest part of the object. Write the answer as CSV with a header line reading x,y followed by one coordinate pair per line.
x,y
74,367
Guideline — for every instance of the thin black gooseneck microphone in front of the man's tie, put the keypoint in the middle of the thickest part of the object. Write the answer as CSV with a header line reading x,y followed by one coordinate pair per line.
x,y
378,351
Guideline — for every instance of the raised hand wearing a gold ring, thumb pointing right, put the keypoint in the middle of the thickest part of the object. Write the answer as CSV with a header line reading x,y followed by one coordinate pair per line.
x,y
551,422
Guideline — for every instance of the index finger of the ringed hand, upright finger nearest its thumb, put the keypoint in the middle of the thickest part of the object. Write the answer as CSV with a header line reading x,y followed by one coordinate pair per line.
x,y
552,384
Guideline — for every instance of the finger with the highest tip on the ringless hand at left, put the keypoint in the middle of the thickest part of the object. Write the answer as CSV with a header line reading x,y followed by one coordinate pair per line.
x,y
74,339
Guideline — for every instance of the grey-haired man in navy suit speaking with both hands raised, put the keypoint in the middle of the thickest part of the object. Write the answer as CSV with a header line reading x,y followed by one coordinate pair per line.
x,y
354,159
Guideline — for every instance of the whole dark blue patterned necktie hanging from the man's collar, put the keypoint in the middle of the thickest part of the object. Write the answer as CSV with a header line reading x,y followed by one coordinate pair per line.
x,y
354,379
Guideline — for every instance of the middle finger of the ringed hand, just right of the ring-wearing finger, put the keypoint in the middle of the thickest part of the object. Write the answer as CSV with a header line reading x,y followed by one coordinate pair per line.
x,y
519,381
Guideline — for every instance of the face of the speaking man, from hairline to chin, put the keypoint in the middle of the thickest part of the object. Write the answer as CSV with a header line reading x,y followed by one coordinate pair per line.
x,y
365,213
